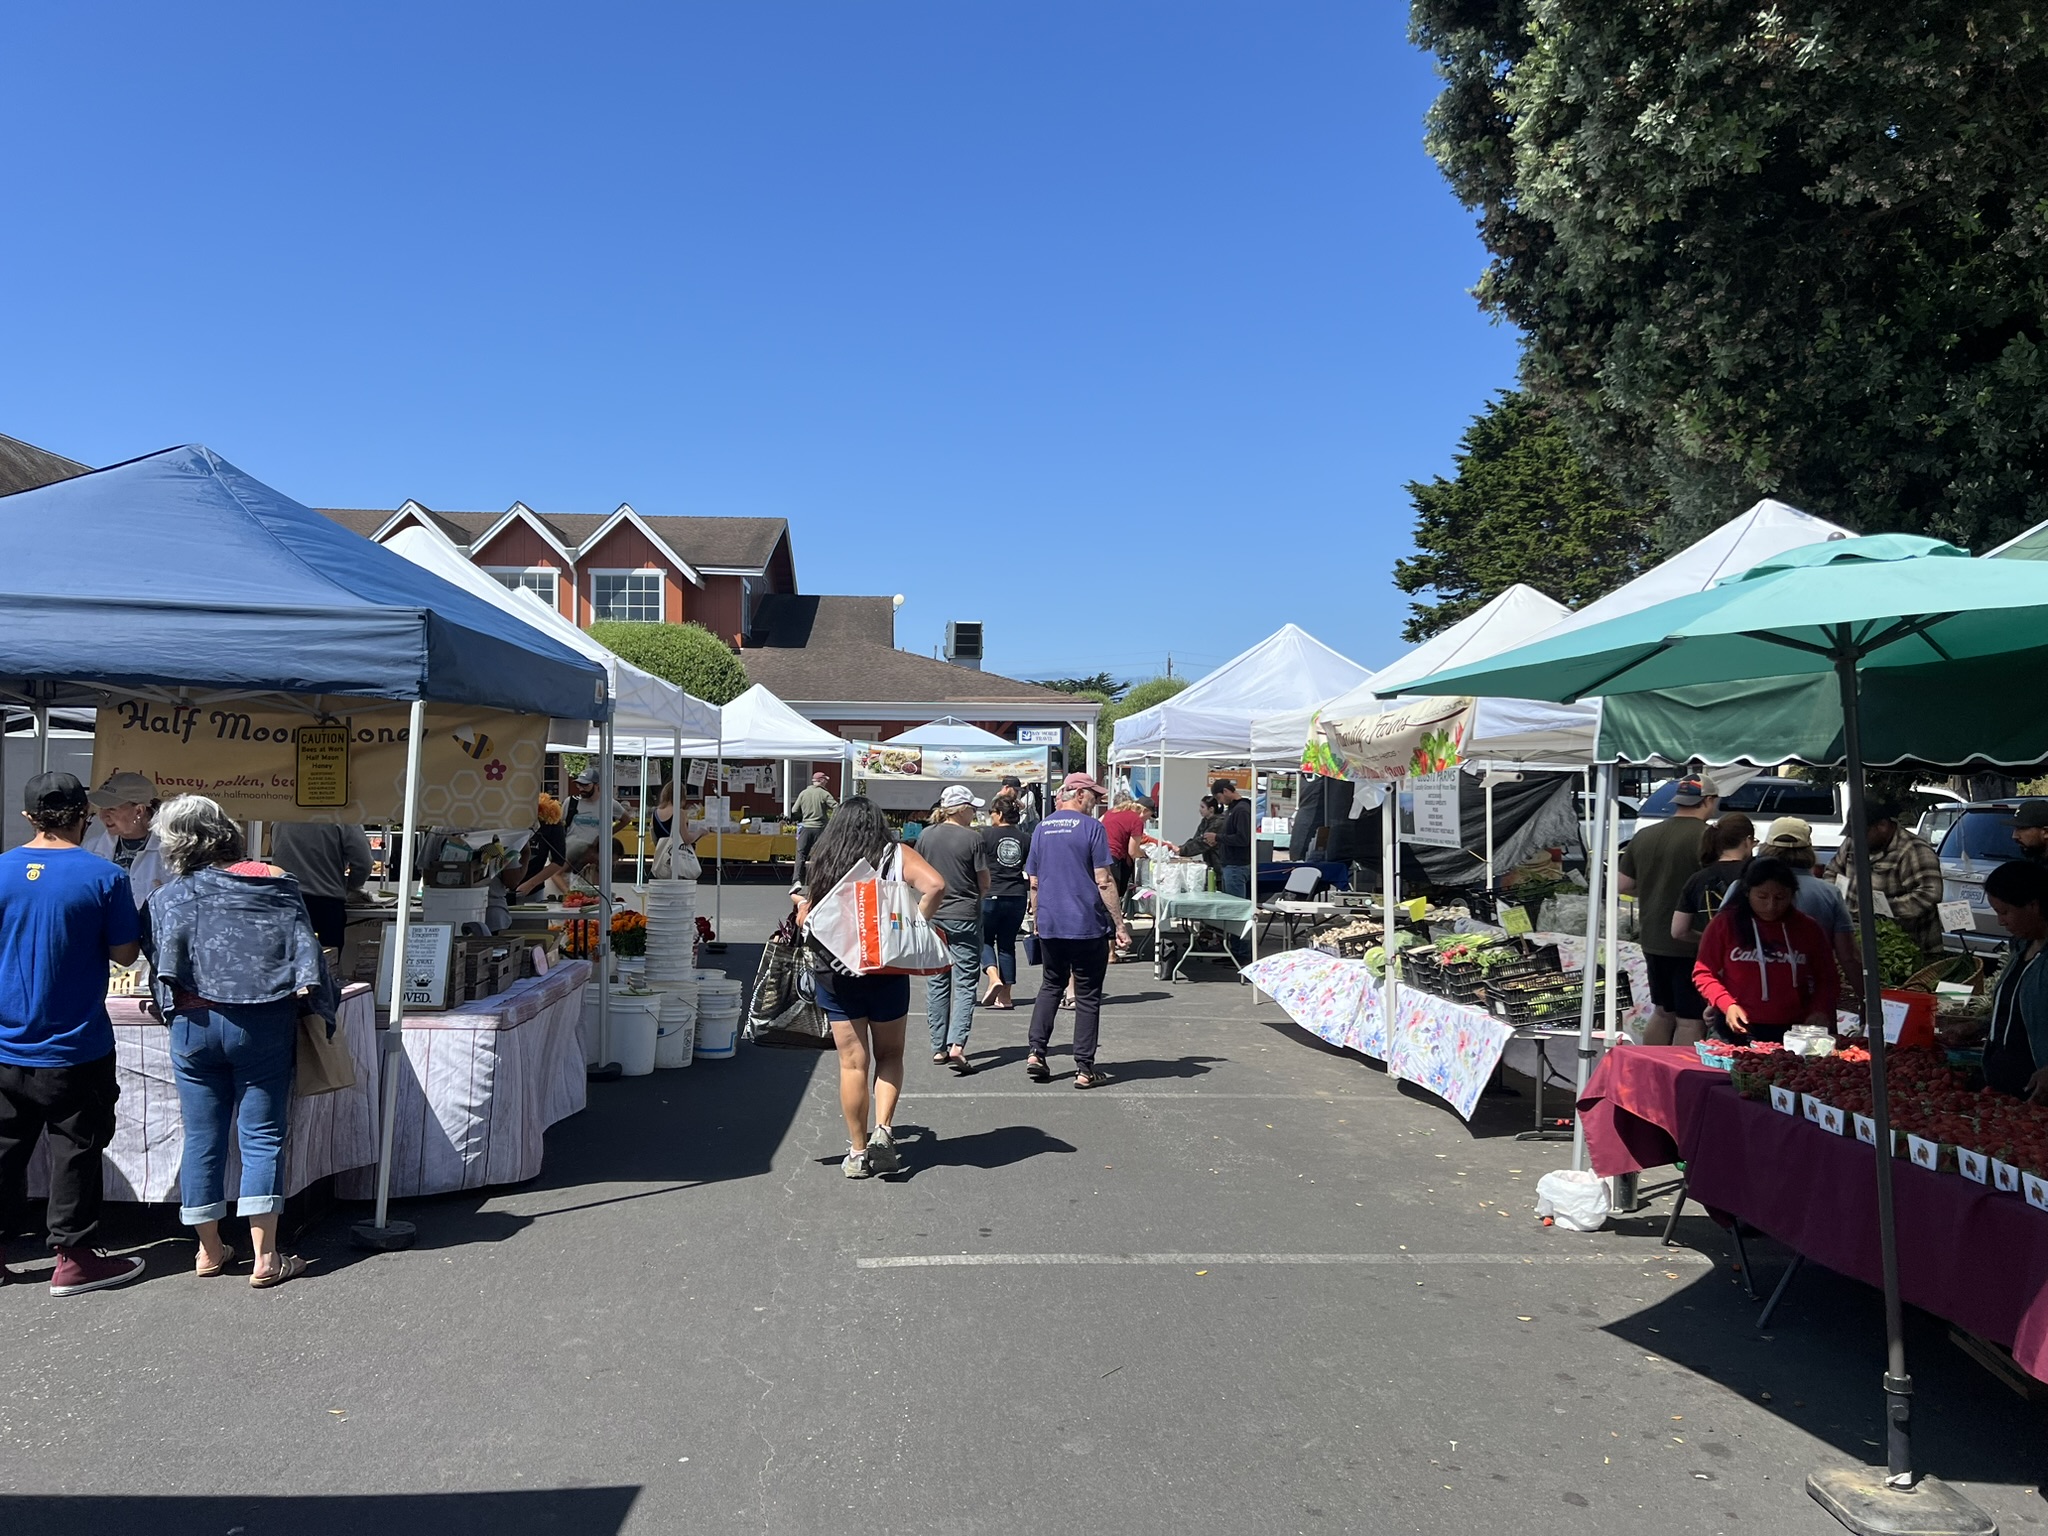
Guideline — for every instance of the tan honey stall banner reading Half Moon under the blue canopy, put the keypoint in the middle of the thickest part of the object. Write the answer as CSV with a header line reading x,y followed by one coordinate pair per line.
x,y
478,767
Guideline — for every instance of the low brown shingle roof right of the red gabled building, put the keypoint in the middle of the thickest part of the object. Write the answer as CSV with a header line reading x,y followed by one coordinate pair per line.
x,y
816,650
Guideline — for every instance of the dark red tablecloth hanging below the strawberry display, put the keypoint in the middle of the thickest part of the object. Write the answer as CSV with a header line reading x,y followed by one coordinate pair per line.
x,y
1967,1254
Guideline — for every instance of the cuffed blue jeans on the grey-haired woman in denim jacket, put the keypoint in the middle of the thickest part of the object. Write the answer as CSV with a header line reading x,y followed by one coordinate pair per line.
x,y
234,1068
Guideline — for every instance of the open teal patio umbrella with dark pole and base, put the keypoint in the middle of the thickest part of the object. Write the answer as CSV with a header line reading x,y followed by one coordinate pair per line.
x,y
1920,644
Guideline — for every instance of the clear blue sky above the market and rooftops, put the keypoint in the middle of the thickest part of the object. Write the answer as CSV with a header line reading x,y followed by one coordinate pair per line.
x,y
1117,327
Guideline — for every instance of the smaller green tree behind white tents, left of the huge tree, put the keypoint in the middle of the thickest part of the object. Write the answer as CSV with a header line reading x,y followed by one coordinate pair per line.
x,y
1523,507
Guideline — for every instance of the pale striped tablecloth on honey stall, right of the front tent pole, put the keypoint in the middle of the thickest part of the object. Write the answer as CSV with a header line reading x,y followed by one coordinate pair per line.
x,y
480,1086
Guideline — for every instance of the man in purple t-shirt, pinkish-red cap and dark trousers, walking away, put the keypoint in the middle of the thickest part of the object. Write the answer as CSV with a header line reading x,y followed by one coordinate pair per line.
x,y
1076,914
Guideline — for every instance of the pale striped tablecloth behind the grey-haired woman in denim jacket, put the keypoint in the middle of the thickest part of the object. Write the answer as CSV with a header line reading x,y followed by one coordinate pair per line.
x,y
327,1134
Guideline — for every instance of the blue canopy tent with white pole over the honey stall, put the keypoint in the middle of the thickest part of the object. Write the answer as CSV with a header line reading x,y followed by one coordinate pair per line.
x,y
179,572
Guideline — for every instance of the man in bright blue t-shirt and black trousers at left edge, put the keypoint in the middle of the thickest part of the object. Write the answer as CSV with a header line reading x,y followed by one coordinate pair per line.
x,y
65,914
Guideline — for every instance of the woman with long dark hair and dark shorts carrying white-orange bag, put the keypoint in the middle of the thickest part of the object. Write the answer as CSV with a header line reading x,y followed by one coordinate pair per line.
x,y
867,1013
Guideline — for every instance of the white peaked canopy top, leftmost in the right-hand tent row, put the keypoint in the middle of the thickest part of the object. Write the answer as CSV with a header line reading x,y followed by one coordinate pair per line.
x,y
1213,718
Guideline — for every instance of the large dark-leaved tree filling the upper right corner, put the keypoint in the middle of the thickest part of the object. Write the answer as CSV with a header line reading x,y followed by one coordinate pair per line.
x,y
1770,249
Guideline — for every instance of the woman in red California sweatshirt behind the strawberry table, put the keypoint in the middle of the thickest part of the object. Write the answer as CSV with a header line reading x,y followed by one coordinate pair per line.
x,y
1764,964
